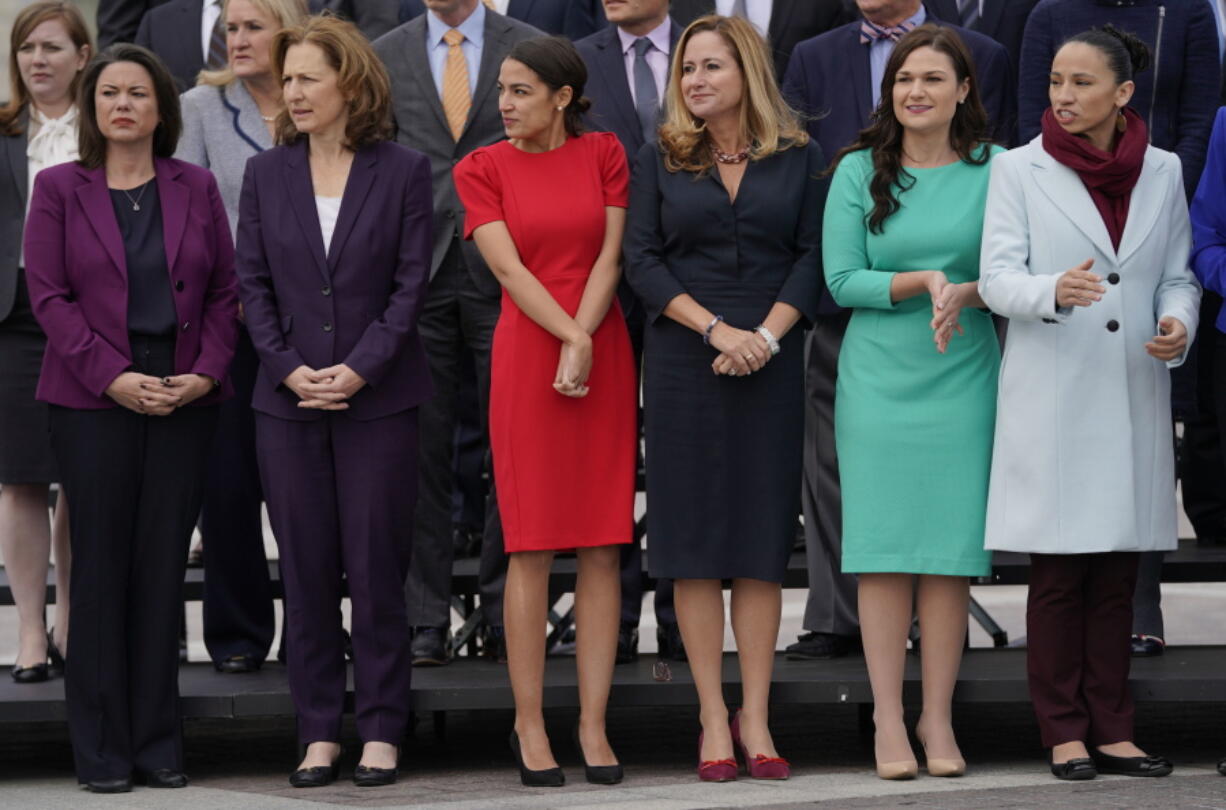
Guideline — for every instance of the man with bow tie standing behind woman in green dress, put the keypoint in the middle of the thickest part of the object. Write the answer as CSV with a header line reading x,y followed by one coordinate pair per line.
x,y
817,84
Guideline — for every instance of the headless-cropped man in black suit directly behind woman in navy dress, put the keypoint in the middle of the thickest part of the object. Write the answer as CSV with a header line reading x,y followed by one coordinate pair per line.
x,y
784,23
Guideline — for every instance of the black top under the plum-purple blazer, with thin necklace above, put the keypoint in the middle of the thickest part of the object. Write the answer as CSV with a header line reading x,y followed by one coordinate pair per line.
x,y
150,301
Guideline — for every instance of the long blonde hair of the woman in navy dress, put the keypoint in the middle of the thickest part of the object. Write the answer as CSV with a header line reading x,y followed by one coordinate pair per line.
x,y
768,124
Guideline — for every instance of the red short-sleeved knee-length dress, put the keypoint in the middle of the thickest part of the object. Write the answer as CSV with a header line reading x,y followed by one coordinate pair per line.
x,y
563,466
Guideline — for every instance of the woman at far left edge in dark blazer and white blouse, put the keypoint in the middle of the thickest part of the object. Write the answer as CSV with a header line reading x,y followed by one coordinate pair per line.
x,y
50,46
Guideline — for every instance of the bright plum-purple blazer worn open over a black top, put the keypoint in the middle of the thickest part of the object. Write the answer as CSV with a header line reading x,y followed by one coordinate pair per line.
x,y
78,276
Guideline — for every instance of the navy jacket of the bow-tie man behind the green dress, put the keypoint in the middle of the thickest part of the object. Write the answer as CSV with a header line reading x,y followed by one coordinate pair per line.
x,y
817,83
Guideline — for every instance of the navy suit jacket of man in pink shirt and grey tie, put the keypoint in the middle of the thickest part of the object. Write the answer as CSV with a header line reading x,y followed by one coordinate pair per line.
x,y
609,90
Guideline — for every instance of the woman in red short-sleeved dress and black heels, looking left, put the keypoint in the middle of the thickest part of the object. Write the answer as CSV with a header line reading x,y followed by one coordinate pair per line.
x,y
547,210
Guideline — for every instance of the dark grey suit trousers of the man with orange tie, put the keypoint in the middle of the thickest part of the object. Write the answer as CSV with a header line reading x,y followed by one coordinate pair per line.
x,y
457,318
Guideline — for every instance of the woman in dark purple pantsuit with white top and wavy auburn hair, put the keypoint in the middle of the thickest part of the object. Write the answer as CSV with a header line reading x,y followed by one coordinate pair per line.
x,y
334,255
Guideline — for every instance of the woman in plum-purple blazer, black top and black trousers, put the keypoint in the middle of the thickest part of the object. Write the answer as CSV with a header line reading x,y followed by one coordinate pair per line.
x,y
132,276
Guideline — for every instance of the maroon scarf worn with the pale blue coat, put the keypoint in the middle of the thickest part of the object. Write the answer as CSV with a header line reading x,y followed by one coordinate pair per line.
x,y
1109,177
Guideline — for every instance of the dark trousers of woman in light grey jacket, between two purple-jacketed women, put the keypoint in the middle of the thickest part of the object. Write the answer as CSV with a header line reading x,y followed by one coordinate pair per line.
x,y
238,595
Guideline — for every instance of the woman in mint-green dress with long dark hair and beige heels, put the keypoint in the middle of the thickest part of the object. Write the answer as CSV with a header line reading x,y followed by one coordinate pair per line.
x,y
918,376
